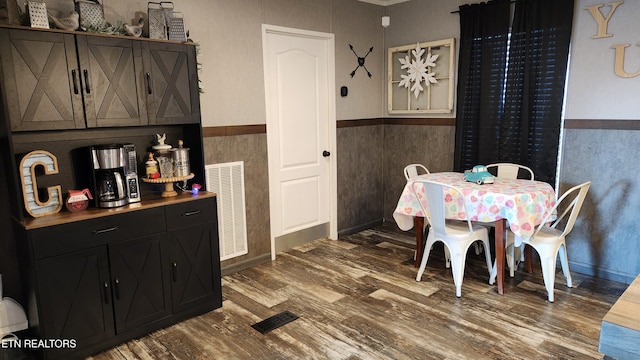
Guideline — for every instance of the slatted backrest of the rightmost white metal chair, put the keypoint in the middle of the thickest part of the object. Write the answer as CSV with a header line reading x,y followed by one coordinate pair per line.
x,y
570,202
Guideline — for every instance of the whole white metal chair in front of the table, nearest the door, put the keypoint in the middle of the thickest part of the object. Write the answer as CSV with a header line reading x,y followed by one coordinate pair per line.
x,y
457,236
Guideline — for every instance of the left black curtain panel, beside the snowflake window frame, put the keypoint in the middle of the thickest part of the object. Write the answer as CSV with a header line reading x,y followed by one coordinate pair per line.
x,y
484,31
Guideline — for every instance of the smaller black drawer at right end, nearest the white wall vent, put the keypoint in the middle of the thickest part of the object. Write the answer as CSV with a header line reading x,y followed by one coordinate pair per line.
x,y
191,213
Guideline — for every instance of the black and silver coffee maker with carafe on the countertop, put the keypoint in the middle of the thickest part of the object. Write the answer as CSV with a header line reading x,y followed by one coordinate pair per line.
x,y
108,176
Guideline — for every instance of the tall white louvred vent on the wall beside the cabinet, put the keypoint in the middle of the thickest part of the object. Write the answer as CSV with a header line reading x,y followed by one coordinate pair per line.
x,y
227,181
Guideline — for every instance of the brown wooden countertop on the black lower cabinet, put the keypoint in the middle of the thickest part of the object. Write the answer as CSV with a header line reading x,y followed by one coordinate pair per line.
x,y
149,201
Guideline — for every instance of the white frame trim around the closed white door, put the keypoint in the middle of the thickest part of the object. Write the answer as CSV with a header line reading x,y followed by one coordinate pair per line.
x,y
332,176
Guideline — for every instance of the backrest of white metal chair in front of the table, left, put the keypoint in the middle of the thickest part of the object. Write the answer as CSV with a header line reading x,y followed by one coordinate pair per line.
x,y
435,209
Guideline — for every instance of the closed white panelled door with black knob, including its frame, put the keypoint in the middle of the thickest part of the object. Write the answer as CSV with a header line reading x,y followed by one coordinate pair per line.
x,y
301,126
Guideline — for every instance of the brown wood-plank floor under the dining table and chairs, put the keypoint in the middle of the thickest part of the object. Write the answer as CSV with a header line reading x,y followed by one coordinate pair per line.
x,y
357,298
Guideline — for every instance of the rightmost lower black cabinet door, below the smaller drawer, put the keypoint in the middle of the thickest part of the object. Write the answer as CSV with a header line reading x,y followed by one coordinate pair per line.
x,y
195,268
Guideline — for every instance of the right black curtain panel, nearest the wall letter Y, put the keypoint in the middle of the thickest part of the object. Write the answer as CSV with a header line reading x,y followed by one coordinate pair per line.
x,y
538,57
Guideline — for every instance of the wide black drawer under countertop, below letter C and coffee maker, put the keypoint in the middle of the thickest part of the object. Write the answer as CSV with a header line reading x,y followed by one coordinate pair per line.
x,y
65,238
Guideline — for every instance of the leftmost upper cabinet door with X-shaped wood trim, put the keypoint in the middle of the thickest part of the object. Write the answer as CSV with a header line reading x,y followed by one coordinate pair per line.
x,y
41,80
